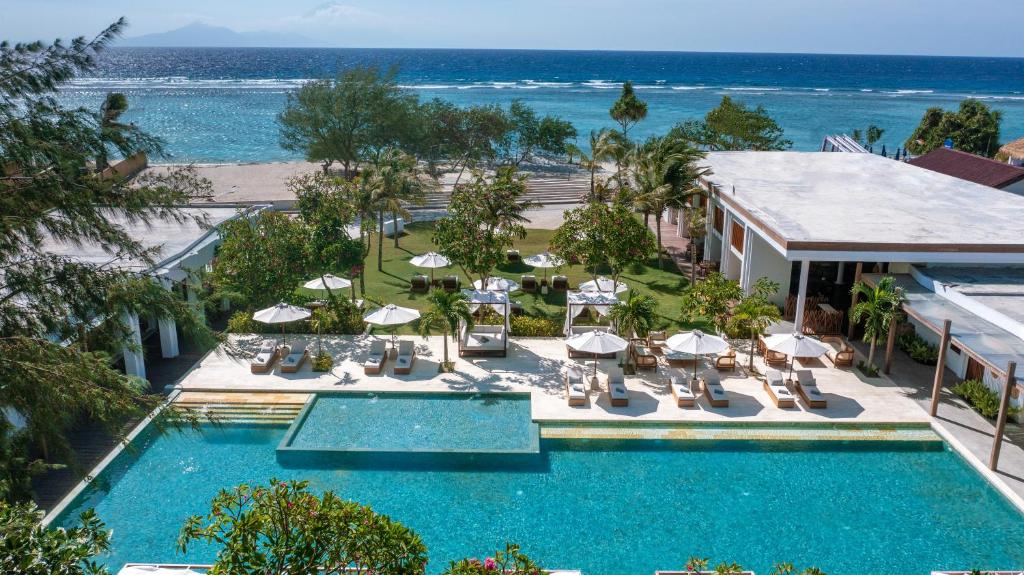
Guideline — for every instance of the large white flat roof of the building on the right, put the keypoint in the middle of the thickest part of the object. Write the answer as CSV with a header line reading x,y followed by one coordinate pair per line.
x,y
865,203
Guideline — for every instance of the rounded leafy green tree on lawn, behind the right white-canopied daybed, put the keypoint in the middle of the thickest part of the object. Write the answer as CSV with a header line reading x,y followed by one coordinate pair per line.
x,y
600,237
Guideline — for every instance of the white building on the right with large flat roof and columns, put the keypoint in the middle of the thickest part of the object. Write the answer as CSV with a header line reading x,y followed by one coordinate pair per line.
x,y
817,223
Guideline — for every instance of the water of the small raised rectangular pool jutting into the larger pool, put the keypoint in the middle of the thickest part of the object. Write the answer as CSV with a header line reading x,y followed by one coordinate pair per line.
x,y
442,422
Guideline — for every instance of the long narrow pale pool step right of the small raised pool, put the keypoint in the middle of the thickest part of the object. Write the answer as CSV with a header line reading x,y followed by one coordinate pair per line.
x,y
914,434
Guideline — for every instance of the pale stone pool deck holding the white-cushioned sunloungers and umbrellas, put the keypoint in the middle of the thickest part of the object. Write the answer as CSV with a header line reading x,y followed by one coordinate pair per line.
x,y
537,366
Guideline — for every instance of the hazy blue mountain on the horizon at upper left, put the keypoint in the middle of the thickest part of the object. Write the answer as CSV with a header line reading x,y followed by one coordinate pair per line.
x,y
199,35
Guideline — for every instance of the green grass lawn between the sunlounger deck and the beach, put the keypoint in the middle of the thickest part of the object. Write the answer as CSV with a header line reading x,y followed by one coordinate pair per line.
x,y
392,285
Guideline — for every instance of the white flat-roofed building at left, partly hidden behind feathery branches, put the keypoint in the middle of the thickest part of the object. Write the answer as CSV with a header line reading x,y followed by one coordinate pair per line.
x,y
182,248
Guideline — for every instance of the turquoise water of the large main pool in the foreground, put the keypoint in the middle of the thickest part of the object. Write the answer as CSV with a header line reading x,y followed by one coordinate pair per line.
x,y
606,508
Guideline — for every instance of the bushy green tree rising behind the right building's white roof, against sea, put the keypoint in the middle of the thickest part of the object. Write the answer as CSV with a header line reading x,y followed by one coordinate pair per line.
x,y
733,126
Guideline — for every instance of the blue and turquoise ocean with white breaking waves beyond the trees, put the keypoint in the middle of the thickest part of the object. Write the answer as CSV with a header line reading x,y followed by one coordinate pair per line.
x,y
220,105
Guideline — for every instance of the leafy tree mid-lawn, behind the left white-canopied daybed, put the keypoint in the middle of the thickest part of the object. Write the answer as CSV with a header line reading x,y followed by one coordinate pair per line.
x,y
485,218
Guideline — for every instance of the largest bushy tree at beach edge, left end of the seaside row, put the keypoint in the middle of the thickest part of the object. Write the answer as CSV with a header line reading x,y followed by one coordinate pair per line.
x,y
350,119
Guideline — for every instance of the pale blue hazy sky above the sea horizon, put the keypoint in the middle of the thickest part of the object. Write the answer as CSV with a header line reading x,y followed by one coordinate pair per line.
x,y
875,27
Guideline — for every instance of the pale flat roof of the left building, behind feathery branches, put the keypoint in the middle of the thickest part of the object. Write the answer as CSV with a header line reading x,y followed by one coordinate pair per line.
x,y
166,237
